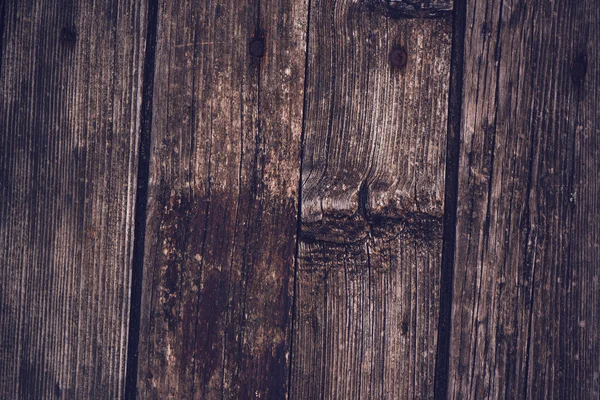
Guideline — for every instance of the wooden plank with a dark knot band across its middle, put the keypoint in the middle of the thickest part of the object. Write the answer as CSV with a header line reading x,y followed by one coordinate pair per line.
x,y
372,204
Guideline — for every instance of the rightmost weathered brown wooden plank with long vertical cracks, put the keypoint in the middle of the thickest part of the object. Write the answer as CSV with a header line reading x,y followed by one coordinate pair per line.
x,y
526,293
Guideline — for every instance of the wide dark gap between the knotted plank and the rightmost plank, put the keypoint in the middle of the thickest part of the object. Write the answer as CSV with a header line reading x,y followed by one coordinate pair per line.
x,y
455,95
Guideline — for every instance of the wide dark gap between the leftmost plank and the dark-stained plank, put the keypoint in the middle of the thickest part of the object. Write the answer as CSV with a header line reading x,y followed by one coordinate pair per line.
x,y
141,202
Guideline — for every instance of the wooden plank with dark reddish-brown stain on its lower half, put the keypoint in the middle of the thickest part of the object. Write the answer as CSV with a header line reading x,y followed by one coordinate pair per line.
x,y
223,200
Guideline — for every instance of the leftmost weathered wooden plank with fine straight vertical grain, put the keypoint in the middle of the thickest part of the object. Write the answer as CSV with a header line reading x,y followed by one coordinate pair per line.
x,y
69,115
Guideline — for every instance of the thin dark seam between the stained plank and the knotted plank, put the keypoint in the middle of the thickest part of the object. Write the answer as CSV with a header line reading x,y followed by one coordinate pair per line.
x,y
299,214
